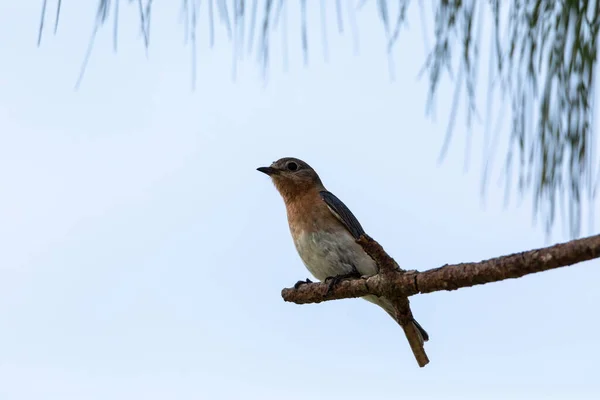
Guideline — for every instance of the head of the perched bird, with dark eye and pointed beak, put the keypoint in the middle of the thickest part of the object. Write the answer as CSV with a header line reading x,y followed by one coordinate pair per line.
x,y
292,177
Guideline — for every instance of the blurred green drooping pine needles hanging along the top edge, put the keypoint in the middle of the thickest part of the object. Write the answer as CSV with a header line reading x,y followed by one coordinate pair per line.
x,y
542,61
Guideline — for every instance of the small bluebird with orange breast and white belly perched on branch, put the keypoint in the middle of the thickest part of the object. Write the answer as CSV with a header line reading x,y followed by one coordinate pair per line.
x,y
324,229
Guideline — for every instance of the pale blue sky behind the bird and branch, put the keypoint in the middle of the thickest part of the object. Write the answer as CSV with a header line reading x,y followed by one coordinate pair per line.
x,y
142,255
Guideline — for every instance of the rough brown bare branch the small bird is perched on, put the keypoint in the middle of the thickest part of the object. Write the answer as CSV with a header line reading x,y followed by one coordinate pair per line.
x,y
448,277
